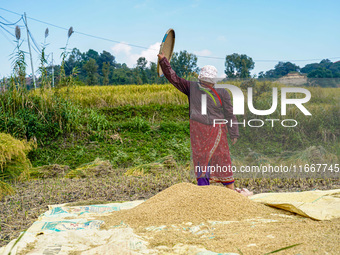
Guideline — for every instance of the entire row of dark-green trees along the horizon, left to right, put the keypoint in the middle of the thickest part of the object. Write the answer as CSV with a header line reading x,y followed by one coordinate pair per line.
x,y
93,68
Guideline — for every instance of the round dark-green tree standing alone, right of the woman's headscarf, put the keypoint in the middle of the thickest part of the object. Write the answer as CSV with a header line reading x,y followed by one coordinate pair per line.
x,y
238,66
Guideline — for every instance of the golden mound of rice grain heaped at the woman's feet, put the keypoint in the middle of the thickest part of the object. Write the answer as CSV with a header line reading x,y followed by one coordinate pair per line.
x,y
187,202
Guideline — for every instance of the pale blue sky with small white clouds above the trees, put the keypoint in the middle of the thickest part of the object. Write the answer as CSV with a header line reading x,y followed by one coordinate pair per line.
x,y
285,30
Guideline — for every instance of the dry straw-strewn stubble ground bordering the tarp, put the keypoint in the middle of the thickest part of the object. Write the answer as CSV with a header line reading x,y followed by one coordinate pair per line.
x,y
19,211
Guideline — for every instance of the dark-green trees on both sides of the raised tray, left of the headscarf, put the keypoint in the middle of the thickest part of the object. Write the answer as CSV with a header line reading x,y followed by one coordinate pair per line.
x,y
93,68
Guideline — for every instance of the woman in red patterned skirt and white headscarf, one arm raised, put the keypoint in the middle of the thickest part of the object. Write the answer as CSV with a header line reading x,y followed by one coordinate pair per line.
x,y
209,144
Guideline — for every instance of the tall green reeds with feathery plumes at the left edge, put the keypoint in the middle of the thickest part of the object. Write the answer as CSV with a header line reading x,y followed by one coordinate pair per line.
x,y
44,113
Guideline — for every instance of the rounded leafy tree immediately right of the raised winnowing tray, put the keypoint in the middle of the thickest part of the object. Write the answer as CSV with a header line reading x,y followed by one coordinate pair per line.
x,y
184,63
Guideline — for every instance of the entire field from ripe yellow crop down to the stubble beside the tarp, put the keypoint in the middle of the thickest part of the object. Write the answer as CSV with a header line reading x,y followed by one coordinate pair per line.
x,y
138,135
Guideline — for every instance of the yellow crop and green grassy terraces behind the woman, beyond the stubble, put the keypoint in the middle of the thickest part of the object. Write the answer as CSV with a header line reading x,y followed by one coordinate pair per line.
x,y
156,118
